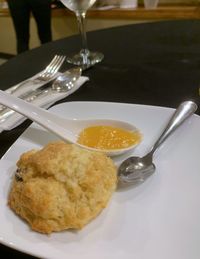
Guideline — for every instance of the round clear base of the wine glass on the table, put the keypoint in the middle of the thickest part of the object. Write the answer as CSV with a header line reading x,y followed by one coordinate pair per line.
x,y
85,60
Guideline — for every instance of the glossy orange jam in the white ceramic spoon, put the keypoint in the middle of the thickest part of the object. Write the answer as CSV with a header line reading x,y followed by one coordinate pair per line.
x,y
108,137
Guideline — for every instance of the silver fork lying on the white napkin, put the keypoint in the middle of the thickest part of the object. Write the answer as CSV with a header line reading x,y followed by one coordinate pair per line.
x,y
45,75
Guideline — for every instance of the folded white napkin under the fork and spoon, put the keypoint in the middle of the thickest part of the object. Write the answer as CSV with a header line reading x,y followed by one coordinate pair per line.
x,y
44,101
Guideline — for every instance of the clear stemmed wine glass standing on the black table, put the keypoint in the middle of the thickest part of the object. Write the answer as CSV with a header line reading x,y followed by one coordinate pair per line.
x,y
84,58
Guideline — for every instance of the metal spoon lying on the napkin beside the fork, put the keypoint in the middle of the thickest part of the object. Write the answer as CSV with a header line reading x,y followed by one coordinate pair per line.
x,y
63,83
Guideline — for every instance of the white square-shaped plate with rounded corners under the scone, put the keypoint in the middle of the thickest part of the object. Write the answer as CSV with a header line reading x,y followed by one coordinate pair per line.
x,y
157,220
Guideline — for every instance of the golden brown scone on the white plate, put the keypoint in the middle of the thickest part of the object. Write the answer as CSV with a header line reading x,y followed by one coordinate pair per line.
x,y
61,186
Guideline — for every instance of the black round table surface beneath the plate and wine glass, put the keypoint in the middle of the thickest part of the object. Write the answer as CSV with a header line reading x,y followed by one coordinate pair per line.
x,y
151,63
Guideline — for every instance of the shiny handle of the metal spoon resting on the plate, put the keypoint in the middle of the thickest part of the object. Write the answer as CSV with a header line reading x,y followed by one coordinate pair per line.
x,y
185,110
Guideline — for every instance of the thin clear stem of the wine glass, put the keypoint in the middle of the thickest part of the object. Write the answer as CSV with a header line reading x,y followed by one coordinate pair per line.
x,y
81,25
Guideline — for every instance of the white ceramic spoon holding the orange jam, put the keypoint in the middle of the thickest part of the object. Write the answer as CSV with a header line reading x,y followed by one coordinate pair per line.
x,y
66,129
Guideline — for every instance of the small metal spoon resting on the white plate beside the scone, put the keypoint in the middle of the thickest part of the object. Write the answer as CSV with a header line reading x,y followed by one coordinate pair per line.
x,y
137,169
